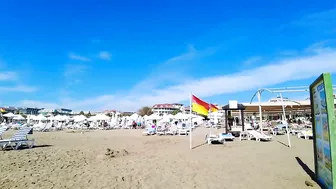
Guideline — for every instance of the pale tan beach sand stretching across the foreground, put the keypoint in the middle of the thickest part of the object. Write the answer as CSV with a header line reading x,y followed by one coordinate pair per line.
x,y
82,160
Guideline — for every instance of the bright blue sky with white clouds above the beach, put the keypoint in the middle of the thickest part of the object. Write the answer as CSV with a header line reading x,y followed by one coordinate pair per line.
x,y
97,55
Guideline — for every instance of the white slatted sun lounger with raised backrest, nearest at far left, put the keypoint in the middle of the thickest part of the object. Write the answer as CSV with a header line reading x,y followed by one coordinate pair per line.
x,y
18,139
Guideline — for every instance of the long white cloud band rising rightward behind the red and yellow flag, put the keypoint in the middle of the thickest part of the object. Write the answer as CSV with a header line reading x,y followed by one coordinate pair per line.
x,y
283,70
